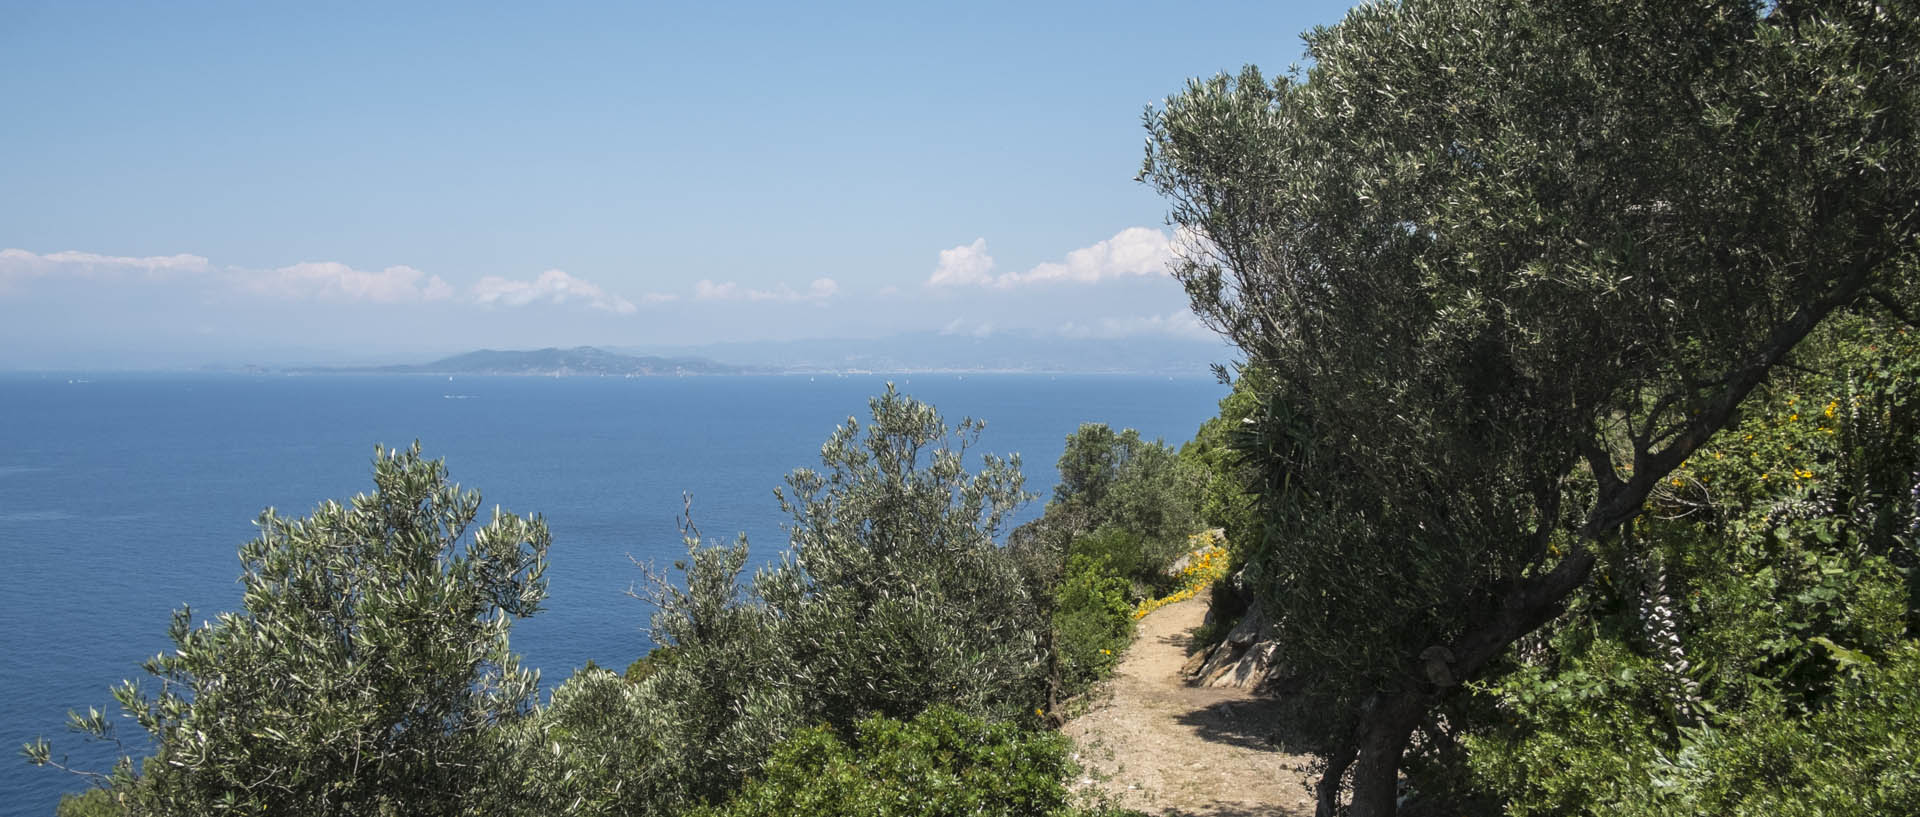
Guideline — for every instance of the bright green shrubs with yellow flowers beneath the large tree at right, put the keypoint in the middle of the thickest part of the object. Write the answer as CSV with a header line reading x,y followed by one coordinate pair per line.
x,y
1756,653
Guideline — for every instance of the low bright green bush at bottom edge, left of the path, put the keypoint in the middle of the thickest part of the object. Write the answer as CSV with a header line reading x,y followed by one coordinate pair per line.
x,y
940,764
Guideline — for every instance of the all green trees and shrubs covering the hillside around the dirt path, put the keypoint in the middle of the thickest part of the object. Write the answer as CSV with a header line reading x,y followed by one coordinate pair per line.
x,y
1572,469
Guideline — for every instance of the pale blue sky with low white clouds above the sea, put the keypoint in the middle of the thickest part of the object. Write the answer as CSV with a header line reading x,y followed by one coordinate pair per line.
x,y
329,183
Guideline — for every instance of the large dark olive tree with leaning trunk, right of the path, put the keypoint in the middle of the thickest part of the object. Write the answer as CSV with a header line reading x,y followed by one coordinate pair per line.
x,y
1508,266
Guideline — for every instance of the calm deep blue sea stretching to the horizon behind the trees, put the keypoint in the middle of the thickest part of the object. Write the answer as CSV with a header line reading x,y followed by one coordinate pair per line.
x,y
126,498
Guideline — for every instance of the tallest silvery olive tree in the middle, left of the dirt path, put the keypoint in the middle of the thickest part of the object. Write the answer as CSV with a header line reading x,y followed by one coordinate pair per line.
x,y
896,578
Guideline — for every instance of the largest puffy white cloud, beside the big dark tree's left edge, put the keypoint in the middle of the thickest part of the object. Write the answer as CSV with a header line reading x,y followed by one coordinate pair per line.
x,y
1130,254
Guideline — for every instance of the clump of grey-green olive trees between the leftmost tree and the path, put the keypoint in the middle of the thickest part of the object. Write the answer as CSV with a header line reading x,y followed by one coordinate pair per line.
x,y
892,597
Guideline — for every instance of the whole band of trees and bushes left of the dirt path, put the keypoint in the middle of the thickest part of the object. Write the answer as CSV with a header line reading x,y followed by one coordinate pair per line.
x,y
896,651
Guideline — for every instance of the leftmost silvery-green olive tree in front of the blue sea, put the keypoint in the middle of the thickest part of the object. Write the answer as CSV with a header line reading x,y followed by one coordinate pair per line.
x,y
368,672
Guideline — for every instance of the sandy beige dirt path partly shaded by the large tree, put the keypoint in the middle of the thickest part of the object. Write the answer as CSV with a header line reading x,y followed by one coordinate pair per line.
x,y
1170,749
